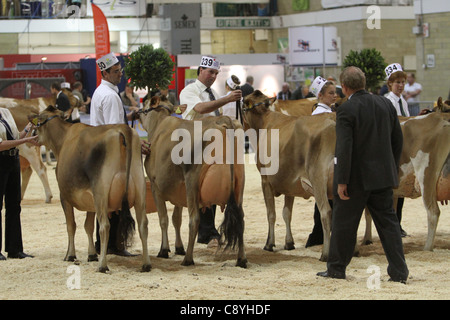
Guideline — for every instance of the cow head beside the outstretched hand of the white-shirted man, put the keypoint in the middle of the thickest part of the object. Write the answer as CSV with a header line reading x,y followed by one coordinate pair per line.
x,y
255,106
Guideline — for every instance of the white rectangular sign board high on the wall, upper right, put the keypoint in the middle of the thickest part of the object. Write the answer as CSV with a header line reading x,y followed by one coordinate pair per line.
x,y
311,46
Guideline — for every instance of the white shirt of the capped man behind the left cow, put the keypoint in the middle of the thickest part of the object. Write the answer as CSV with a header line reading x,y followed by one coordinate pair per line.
x,y
106,105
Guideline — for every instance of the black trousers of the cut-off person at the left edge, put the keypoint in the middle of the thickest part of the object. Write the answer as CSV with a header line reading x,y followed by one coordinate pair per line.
x,y
11,193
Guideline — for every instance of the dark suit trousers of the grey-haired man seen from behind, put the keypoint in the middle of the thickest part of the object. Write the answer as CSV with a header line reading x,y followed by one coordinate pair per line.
x,y
345,221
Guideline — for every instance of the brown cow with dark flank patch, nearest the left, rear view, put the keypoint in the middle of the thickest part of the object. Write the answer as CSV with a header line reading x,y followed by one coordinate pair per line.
x,y
99,170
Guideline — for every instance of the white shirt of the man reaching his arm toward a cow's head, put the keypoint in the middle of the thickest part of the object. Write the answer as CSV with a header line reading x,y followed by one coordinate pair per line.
x,y
193,94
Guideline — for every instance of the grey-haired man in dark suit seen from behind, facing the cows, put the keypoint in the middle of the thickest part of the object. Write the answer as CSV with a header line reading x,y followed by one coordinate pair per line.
x,y
369,142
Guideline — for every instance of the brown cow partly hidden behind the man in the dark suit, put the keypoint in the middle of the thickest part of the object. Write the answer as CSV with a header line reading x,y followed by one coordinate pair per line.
x,y
306,152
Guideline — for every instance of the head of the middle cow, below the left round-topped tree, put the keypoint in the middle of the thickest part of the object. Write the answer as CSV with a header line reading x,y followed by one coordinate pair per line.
x,y
154,111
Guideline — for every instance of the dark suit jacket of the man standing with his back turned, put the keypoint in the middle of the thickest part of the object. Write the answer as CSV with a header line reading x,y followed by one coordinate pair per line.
x,y
369,142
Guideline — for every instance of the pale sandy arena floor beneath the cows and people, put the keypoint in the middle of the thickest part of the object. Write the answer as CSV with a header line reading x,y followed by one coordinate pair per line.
x,y
278,275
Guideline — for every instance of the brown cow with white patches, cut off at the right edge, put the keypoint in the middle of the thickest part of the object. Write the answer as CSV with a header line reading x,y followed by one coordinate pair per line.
x,y
425,164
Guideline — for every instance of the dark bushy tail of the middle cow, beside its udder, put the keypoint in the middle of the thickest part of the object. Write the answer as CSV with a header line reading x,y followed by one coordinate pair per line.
x,y
232,228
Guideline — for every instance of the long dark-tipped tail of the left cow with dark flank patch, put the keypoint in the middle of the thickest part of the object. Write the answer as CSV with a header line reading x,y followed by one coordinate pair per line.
x,y
126,225
